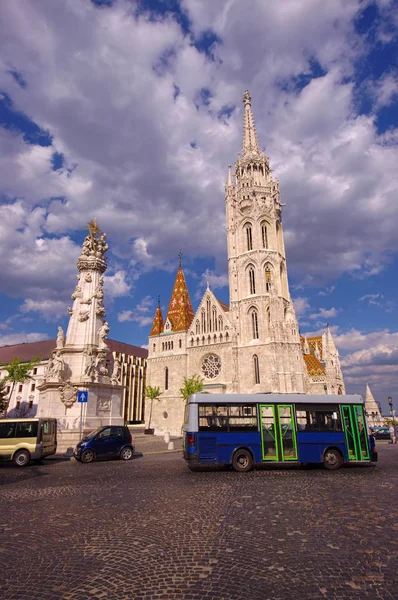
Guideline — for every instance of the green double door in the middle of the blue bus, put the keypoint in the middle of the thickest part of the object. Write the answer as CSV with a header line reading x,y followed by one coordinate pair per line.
x,y
278,434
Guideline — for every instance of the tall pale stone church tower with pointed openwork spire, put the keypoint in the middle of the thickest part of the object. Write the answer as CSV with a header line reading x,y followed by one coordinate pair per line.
x,y
266,344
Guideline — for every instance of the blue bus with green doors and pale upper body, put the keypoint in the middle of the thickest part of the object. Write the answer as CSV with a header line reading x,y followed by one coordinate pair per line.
x,y
243,430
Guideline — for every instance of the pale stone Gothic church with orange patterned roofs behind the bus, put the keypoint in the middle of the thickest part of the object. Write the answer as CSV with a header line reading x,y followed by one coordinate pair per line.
x,y
253,344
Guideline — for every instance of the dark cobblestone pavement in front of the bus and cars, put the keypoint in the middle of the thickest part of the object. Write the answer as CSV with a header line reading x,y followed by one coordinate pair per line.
x,y
150,528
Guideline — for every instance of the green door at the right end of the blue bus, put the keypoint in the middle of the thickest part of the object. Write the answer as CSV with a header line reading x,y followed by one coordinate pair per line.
x,y
355,430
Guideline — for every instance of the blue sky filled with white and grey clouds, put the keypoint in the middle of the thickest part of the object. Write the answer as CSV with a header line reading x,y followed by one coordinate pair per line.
x,y
131,111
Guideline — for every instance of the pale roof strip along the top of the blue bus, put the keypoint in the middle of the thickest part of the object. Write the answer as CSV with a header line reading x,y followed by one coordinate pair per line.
x,y
274,398
